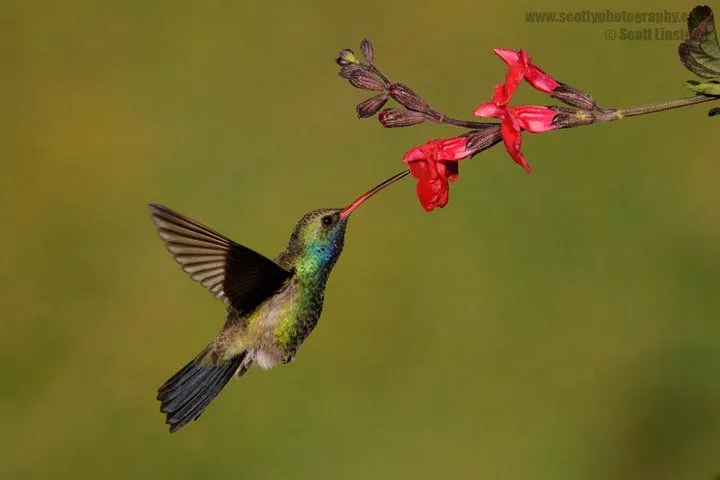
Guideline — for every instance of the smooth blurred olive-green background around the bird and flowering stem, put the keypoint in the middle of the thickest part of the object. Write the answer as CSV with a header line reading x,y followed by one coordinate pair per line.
x,y
559,325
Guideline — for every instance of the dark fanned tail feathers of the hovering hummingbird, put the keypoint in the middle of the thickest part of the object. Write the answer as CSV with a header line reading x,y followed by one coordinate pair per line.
x,y
187,393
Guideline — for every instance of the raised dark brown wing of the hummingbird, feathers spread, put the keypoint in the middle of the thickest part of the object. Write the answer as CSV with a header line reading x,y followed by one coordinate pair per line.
x,y
234,274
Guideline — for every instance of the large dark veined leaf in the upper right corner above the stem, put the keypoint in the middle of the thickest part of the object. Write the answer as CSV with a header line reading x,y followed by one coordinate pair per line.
x,y
700,53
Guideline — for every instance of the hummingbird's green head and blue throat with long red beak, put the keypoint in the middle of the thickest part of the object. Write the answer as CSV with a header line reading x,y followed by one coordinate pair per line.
x,y
319,236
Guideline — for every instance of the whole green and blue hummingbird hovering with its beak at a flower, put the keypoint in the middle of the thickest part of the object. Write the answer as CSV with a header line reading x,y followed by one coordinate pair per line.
x,y
271,305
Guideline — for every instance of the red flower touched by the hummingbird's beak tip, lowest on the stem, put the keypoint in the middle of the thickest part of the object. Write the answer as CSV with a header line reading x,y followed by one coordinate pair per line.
x,y
434,164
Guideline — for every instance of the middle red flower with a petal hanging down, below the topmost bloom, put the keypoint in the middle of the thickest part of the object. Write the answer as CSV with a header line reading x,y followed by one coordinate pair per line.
x,y
533,118
